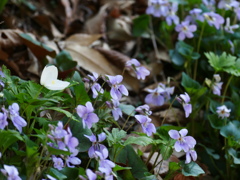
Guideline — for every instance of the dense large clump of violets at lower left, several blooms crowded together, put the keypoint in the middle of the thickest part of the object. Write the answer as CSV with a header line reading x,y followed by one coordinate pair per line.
x,y
62,139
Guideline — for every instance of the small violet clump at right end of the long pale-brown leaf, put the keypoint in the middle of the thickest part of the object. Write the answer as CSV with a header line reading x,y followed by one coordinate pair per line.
x,y
140,70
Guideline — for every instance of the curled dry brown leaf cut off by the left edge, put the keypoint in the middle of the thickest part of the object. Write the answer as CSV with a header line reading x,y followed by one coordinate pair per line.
x,y
10,38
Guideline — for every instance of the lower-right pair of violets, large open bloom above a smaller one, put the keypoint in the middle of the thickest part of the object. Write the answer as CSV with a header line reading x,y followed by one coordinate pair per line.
x,y
184,143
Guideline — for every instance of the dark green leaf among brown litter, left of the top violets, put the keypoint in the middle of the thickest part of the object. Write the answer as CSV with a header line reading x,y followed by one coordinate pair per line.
x,y
140,25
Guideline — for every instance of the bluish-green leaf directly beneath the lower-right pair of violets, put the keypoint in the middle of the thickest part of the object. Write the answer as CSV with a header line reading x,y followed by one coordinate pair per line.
x,y
191,169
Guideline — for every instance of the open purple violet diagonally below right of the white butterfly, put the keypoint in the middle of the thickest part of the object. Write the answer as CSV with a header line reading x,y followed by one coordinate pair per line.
x,y
87,115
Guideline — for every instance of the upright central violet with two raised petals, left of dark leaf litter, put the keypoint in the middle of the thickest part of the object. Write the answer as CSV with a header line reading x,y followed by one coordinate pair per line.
x,y
117,89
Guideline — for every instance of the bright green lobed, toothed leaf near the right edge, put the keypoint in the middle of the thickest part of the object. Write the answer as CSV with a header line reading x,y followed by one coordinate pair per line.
x,y
219,63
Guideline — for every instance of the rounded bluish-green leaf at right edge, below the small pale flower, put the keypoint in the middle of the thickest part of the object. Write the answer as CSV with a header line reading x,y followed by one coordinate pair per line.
x,y
232,129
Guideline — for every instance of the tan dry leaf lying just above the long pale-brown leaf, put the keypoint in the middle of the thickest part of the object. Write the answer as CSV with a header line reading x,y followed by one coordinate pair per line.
x,y
83,39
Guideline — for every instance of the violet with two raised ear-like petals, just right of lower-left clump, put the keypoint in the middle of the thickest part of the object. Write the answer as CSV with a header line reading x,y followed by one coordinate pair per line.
x,y
96,147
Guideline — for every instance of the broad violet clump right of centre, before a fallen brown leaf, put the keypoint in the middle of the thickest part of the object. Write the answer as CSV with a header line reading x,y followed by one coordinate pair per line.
x,y
159,95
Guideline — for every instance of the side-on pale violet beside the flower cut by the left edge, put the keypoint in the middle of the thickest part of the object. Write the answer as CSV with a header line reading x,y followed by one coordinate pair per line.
x,y
17,120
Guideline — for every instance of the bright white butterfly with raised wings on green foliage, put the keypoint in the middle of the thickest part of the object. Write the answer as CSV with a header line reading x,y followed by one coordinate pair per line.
x,y
49,79
